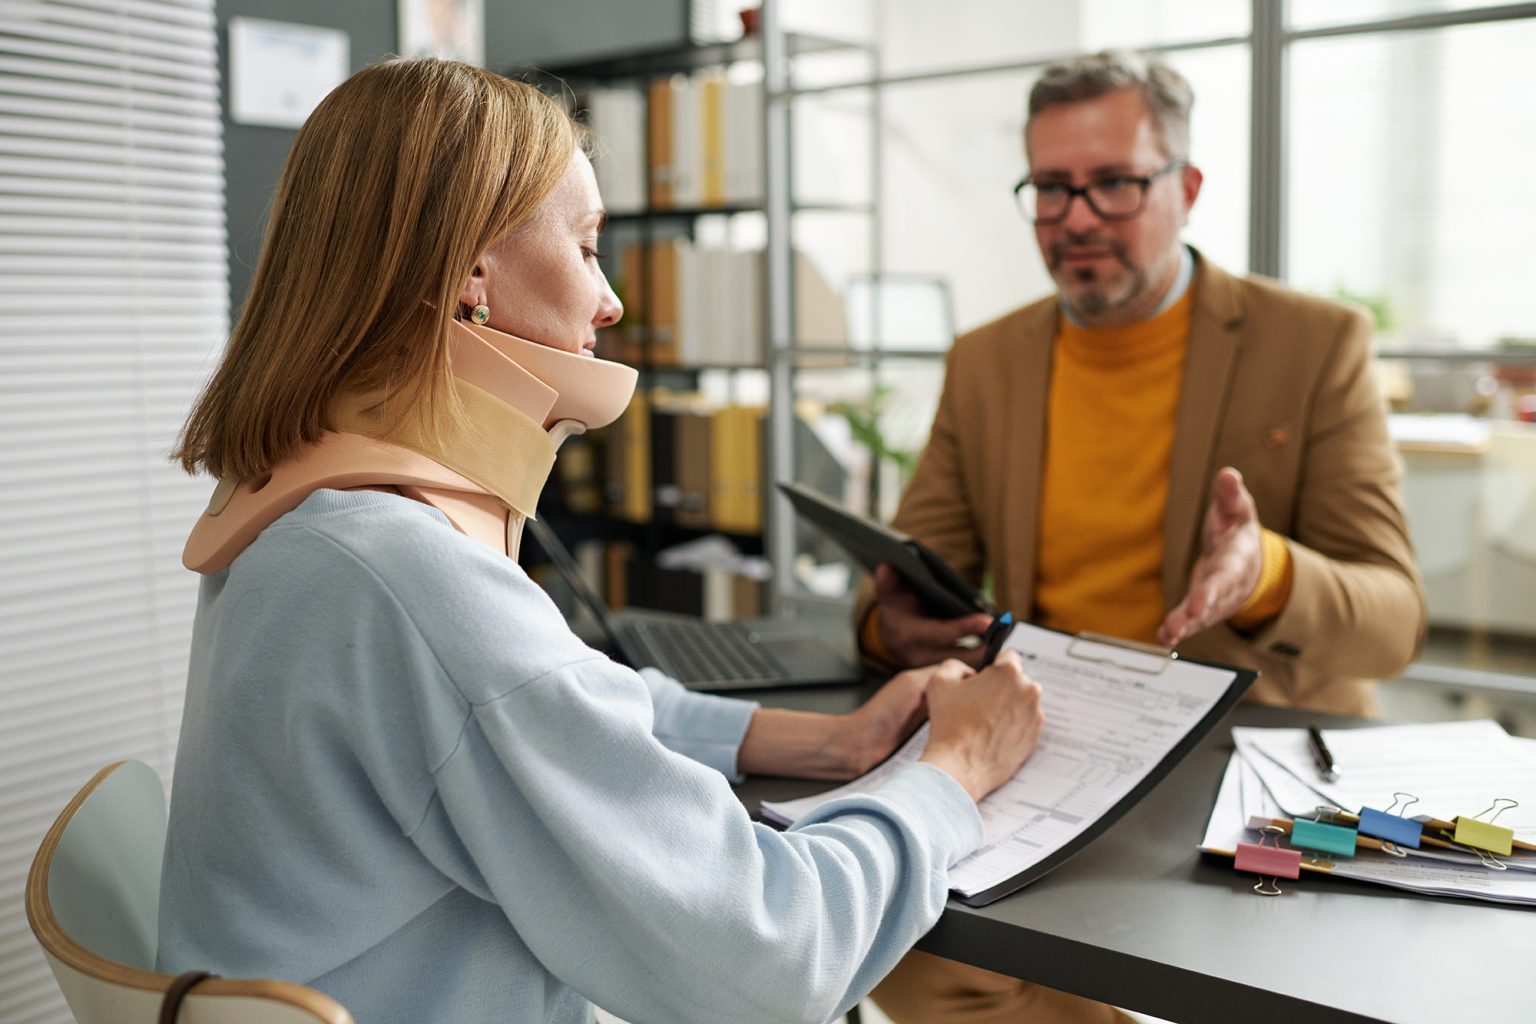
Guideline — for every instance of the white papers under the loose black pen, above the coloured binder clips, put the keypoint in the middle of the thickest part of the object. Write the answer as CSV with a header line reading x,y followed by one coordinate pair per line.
x,y
1455,768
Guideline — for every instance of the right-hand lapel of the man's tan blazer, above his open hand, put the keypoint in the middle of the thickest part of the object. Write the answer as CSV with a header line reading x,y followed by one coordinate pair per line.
x,y
1210,362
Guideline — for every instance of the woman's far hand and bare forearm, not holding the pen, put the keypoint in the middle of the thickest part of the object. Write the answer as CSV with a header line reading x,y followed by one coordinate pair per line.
x,y
810,745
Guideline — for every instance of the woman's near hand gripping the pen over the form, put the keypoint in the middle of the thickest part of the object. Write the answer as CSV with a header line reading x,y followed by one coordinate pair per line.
x,y
984,725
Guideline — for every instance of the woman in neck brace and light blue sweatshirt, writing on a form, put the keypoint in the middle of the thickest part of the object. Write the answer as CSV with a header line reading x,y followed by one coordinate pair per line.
x,y
402,779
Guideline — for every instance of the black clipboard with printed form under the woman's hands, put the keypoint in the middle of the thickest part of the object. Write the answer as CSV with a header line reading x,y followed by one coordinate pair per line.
x,y
1185,695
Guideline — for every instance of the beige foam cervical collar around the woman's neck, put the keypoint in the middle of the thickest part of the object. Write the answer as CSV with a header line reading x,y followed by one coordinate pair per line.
x,y
521,398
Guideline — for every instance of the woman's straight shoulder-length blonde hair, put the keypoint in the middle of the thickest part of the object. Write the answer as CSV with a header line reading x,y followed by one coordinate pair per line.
x,y
394,188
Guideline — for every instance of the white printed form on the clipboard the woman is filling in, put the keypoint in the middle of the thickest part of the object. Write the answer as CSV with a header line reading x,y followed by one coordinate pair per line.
x,y
1108,725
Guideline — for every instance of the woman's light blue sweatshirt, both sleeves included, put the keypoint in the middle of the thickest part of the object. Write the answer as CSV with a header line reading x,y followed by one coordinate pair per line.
x,y
405,782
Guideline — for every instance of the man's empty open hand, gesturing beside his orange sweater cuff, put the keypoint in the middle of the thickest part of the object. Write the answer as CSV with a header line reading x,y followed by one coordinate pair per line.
x,y
1231,558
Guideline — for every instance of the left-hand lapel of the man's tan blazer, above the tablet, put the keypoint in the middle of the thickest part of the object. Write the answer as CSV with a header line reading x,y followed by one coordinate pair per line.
x,y
1024,467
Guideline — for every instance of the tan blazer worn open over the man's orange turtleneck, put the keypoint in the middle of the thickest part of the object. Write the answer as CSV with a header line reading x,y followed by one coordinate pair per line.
x,y
1277,385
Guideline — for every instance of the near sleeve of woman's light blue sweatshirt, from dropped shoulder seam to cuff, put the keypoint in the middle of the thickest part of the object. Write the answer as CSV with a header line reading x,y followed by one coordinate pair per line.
x,y
638,879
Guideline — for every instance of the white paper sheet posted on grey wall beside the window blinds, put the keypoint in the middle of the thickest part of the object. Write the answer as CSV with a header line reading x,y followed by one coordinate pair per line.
x,y
279,73
